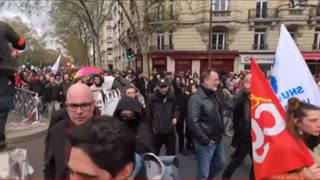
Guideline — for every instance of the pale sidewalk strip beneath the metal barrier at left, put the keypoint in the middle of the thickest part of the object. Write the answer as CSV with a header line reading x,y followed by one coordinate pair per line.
x,y
17,132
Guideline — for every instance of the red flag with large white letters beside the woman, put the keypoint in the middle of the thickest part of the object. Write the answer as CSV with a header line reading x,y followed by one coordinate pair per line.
x,y
275,150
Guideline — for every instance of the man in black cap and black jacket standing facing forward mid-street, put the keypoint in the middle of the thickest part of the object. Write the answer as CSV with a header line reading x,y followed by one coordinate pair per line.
x,y
162,114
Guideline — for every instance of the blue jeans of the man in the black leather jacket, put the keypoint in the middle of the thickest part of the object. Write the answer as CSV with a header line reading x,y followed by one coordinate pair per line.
x,y
210,160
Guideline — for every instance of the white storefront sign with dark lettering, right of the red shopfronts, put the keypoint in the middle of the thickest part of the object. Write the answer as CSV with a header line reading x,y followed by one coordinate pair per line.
x,y
260,58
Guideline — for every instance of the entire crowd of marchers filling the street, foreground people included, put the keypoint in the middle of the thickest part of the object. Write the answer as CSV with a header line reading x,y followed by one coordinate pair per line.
x,y
113,125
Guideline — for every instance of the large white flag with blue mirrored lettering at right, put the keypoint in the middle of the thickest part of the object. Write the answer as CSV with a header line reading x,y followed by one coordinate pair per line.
x,y
291,76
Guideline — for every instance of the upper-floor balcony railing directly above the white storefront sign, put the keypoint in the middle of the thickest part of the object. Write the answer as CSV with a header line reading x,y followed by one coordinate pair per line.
x,y
268,13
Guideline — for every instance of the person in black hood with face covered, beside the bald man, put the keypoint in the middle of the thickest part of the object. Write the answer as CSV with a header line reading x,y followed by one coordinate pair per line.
x,y
129,111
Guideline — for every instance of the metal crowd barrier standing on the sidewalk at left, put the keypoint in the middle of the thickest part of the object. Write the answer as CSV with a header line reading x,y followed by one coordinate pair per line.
x,y
27,103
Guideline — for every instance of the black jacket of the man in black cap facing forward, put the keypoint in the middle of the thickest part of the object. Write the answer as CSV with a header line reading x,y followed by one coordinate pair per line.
x,y
160,111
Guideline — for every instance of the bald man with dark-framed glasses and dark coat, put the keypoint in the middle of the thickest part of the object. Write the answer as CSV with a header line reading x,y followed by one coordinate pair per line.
x,y
80,108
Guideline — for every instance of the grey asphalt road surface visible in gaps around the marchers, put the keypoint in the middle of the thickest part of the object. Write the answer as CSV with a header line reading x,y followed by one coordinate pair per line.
x,y
187,164
